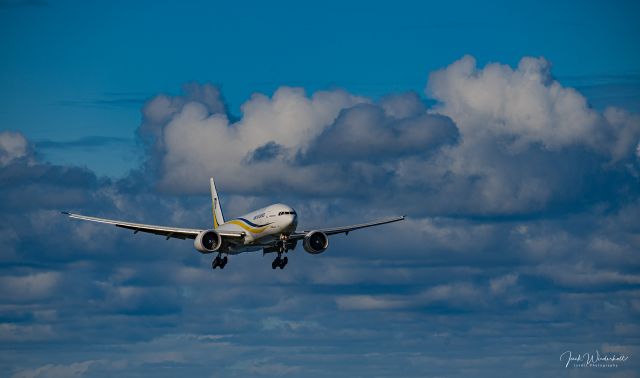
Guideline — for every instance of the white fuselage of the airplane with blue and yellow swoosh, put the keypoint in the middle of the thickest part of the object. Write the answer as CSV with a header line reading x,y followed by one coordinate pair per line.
x,y
261,226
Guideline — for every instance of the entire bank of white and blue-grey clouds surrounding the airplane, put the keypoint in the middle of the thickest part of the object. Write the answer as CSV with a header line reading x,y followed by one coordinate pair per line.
x,y
521,243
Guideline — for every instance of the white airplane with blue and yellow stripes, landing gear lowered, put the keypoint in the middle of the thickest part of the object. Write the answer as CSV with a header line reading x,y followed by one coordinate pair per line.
x,y
271,229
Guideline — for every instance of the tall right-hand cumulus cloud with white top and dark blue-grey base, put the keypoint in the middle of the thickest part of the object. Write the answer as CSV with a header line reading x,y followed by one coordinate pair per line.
x,y
528,144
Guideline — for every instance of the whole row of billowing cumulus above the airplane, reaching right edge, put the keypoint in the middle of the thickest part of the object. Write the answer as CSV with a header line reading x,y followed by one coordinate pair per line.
x,y
499,140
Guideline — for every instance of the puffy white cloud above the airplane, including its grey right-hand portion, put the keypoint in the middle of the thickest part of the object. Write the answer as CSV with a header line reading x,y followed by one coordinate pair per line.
x,y
287,141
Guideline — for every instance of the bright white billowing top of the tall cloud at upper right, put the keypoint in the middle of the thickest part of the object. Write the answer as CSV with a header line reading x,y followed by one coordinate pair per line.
x,y
523,106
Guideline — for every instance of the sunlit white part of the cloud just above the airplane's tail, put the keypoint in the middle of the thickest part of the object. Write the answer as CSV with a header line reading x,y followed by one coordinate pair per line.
x,y
197,143
